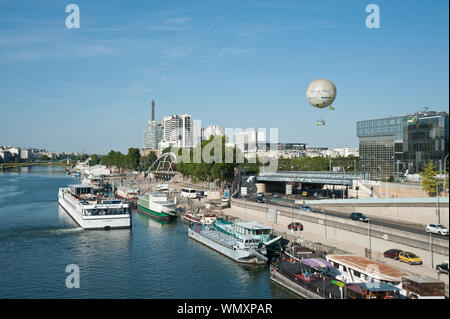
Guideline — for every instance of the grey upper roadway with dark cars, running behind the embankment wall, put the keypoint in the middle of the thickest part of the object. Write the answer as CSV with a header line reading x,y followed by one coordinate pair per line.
x,y
374,221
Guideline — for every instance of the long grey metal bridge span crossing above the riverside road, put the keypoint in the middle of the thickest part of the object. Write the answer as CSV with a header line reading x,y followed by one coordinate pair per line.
x,y
329,178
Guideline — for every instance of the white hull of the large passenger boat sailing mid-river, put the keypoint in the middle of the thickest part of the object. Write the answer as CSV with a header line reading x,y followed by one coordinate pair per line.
x,y
94,222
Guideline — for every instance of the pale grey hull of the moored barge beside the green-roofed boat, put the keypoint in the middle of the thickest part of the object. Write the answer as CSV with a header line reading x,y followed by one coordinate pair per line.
x,y
241,256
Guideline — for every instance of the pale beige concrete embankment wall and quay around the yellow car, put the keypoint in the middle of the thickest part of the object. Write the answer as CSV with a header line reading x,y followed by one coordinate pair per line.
x,y
350,236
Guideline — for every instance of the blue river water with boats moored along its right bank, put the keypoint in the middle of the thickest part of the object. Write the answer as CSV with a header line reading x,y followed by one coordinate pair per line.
x,y
38,240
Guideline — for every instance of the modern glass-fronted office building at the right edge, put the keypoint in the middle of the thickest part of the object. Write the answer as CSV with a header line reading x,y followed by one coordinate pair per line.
x,y
398,145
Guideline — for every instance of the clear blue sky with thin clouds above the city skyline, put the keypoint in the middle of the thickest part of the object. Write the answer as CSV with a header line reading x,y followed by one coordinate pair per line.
x,y
233,63
